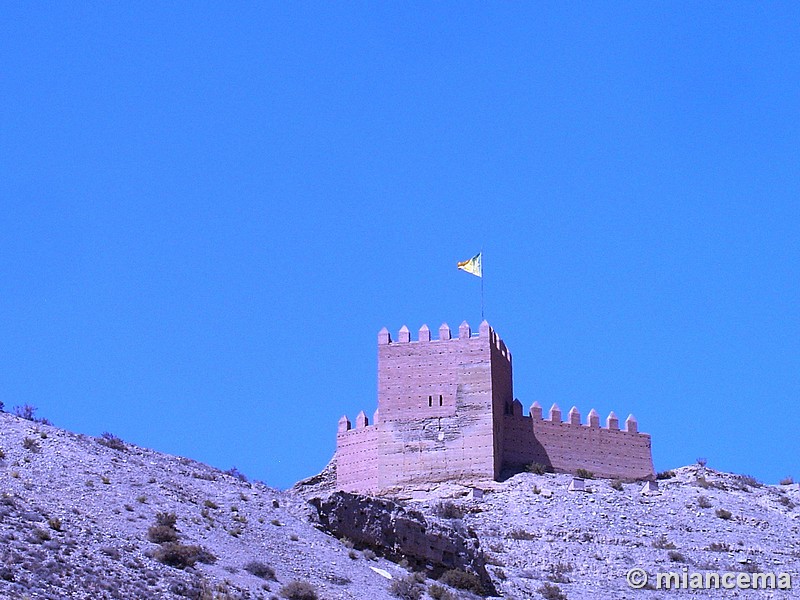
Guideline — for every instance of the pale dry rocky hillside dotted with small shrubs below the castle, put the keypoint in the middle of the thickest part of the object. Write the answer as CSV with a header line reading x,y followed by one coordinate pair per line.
x,y
85,519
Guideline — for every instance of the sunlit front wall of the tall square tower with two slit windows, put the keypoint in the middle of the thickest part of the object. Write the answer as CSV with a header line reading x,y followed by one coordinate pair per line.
x,y
436,408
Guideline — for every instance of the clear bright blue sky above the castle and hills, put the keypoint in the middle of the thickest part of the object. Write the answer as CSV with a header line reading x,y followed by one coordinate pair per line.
x,y
210,209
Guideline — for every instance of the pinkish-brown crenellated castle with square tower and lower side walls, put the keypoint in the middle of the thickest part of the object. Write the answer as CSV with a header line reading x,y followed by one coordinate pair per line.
x,y
446,411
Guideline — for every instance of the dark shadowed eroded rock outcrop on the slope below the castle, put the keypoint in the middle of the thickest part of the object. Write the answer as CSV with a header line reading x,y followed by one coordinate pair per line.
x,y
397,533
